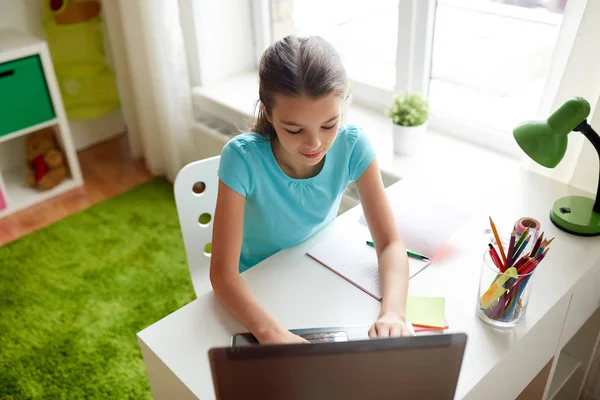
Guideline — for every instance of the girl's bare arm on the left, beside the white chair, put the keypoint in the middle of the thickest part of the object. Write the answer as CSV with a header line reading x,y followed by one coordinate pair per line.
x,y
228,285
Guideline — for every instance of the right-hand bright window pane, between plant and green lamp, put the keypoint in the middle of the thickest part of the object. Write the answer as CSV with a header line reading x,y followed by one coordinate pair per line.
x,y
491,58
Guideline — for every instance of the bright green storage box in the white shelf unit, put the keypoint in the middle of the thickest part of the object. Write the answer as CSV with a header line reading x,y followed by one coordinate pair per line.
x,y
24,96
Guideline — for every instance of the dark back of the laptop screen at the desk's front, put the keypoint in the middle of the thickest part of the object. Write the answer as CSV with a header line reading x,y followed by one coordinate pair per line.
x,y
418,367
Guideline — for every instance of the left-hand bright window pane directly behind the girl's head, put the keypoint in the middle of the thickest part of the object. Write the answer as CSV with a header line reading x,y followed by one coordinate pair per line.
x,y
364,33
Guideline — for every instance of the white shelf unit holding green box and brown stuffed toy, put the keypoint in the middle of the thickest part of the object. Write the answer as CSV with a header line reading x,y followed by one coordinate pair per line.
x,y
13,169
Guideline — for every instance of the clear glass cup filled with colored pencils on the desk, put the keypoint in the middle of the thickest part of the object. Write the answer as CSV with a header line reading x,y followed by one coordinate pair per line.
x,y
506,276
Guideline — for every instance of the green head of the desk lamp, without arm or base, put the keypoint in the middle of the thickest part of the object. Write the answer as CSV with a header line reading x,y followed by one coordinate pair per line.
x,y
545,141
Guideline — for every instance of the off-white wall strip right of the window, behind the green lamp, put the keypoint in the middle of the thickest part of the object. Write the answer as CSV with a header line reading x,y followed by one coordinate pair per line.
x,y
575,71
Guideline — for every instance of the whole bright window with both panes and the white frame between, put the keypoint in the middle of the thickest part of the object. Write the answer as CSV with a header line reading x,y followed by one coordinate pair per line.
x,y
482,63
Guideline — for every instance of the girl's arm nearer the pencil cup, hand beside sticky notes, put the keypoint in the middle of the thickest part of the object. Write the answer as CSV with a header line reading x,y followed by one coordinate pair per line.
x,y
391,255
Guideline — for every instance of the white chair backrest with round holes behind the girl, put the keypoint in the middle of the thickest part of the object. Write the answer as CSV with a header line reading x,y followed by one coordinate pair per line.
x,y
196,187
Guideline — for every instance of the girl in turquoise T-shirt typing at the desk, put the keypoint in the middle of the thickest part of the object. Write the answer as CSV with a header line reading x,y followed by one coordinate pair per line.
x,y
283,182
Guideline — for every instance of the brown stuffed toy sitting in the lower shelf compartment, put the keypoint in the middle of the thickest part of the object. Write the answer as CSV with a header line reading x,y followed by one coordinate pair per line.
x,y
45,160
